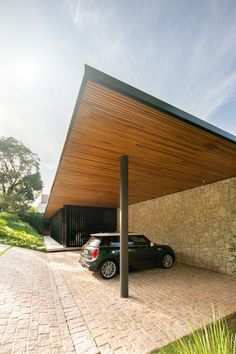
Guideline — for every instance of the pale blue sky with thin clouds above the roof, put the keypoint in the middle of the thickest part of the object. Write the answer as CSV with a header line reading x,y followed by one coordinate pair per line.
x,y
181,51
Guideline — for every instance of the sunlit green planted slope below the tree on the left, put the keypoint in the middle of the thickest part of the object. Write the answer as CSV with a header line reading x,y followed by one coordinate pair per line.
x,y
16,232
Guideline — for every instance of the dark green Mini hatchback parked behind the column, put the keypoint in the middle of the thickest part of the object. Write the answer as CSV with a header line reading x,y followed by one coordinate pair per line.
x,y
101,253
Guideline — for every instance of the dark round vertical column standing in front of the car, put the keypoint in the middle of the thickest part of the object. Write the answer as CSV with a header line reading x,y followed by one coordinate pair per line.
x,y
124,226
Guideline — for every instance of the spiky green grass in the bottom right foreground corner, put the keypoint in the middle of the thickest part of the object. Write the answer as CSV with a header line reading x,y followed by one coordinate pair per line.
x,y
218,337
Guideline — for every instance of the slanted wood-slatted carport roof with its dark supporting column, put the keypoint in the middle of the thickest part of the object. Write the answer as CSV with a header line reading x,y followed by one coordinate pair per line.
x,y
120,137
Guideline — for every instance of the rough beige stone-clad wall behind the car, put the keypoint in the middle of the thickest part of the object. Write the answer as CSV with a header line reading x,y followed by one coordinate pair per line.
x,y
198,223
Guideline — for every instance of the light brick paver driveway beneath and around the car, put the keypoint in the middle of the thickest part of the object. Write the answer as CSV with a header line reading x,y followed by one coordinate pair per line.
x,y
50,304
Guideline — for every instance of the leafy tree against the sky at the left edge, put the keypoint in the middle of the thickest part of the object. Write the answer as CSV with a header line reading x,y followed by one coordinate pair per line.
x,y
20,178
